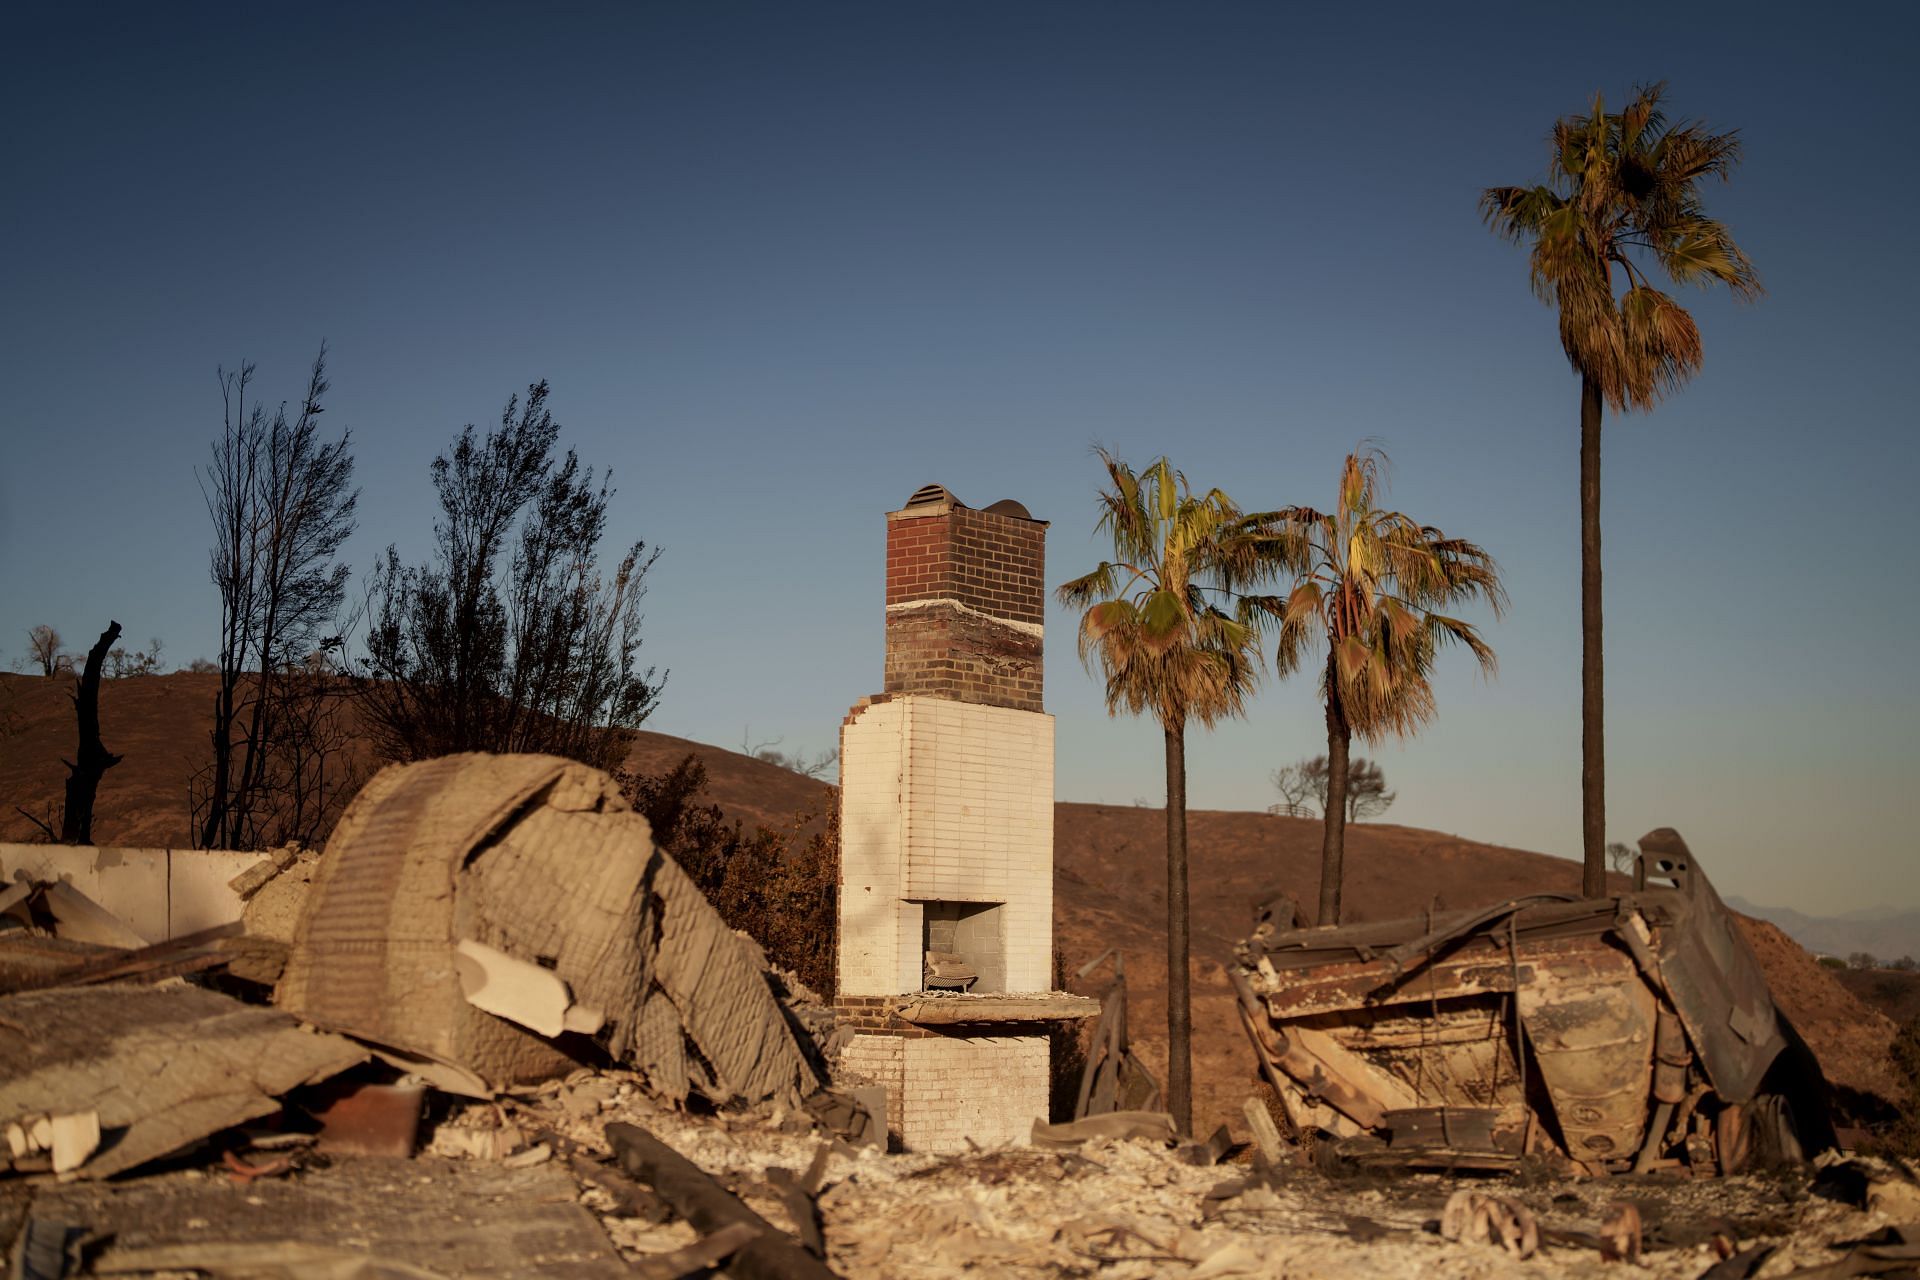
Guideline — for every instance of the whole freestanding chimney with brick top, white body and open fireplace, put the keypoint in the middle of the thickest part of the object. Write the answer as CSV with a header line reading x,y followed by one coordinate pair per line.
x,y
948,830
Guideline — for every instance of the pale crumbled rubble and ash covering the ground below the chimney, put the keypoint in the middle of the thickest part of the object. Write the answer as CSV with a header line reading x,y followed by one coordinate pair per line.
x,y
1138,1208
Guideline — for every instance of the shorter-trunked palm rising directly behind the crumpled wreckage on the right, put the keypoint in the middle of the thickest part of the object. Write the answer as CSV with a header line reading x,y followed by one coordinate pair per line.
x,y
1370,584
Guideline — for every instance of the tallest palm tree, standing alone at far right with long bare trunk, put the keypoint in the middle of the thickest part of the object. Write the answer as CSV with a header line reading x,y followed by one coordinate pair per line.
x,y
1621,191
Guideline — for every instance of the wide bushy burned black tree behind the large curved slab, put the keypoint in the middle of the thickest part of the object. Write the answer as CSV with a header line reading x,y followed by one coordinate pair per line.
x,y
537,655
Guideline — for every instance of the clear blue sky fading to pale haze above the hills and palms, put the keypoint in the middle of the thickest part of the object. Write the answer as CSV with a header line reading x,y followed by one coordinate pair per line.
x,y
784,264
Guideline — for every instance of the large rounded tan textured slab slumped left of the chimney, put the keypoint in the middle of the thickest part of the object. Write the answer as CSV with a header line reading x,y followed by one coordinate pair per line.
x,y
479,911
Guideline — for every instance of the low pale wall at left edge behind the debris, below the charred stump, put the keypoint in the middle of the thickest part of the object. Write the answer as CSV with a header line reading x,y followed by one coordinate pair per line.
x,y
160,893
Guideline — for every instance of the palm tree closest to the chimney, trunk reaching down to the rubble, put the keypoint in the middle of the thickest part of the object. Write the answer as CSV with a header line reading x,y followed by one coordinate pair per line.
x,y
1168,652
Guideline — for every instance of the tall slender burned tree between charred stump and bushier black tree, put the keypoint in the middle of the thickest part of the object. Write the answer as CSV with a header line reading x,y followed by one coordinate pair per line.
x,y
281,504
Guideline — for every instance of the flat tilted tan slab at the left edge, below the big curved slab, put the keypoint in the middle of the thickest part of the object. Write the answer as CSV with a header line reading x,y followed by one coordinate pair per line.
x,y
162,1066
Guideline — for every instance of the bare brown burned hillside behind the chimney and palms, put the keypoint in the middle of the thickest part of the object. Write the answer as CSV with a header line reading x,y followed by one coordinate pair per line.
x,y
1109,889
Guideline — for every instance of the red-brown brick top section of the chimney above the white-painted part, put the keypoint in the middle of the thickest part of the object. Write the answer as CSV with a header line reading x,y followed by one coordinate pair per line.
x,y
967,596
